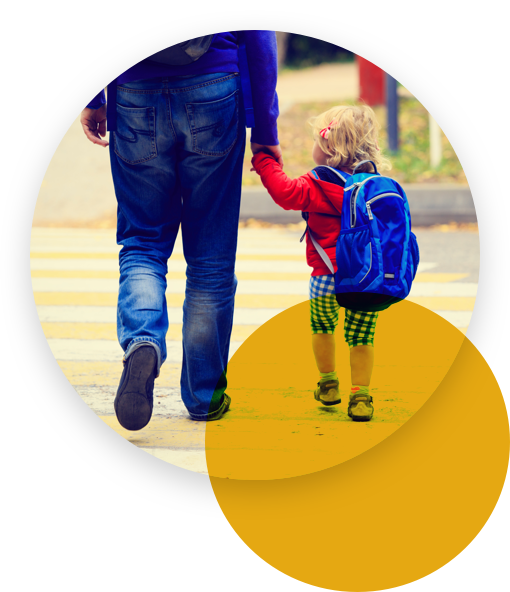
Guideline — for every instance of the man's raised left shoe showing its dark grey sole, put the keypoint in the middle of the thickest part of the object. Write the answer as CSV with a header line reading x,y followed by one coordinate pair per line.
x,y
134,401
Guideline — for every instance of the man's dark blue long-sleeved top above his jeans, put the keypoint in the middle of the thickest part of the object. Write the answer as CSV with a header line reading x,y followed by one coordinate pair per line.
x,y
222,56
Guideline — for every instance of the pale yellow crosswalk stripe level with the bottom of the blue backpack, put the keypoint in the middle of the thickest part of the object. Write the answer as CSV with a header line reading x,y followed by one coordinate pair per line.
x,y
280,301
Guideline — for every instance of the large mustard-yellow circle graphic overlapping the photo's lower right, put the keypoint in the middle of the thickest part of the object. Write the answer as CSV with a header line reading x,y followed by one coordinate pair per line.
x,y
399,511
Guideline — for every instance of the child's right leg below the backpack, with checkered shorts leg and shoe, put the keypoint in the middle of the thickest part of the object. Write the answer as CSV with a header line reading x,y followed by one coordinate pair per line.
x,y
359,333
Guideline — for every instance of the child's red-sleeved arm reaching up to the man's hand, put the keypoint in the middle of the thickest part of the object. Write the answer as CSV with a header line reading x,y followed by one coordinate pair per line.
x,y
290,194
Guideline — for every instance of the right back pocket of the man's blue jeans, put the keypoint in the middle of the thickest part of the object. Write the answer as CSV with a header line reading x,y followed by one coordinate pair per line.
x,y
214,125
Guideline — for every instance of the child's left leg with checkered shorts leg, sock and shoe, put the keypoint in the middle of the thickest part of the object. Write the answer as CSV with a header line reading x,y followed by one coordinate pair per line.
x,y
324,319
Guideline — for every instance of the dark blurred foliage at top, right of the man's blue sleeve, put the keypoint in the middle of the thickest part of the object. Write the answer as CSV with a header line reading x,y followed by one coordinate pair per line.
x,y
303,51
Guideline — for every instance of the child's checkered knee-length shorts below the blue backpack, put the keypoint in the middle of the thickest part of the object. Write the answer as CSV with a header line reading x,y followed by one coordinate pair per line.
x,y
359,327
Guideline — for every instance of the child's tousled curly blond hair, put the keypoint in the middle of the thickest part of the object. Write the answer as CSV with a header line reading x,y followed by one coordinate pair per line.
x,y
352,139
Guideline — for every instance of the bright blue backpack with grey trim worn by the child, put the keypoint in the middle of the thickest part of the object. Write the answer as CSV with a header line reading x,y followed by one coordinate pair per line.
x,y
376,253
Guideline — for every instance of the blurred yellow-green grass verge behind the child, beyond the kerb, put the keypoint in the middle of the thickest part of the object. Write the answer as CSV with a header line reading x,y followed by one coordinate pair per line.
x,y
411,164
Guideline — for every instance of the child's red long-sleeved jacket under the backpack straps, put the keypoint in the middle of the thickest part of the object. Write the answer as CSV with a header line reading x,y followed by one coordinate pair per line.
x,y
309,194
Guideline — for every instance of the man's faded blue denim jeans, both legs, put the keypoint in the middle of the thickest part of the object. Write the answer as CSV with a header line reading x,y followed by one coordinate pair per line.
x,y
177,159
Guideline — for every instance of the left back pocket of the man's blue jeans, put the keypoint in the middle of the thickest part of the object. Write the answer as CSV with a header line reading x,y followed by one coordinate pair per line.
x,y
135,139
